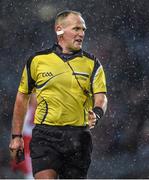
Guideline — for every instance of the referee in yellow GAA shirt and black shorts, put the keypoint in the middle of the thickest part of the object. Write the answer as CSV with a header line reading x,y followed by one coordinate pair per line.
x,y
70,89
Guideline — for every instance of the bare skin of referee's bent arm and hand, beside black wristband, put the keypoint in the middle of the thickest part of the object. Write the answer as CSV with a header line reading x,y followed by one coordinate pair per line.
x,y
100,100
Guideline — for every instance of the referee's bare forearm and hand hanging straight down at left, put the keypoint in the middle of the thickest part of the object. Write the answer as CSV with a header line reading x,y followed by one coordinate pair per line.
x,y
18,120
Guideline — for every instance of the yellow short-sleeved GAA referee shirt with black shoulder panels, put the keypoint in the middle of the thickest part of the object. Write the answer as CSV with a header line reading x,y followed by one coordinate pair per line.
x,y
63,84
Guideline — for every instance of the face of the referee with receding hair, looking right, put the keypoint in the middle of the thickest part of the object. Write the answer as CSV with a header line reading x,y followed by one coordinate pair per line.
x,y
74,30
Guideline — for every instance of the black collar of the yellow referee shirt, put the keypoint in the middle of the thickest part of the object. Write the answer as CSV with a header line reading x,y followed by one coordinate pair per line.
x,y
66,57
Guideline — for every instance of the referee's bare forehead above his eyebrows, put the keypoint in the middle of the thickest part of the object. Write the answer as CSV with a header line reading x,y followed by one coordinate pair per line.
x,y
75,20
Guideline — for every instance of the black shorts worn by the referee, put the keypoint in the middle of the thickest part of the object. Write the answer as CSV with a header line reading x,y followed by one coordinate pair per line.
x,y
66,149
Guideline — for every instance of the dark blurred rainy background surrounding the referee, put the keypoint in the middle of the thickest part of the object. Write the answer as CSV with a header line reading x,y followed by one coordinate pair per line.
x,y
118,34
